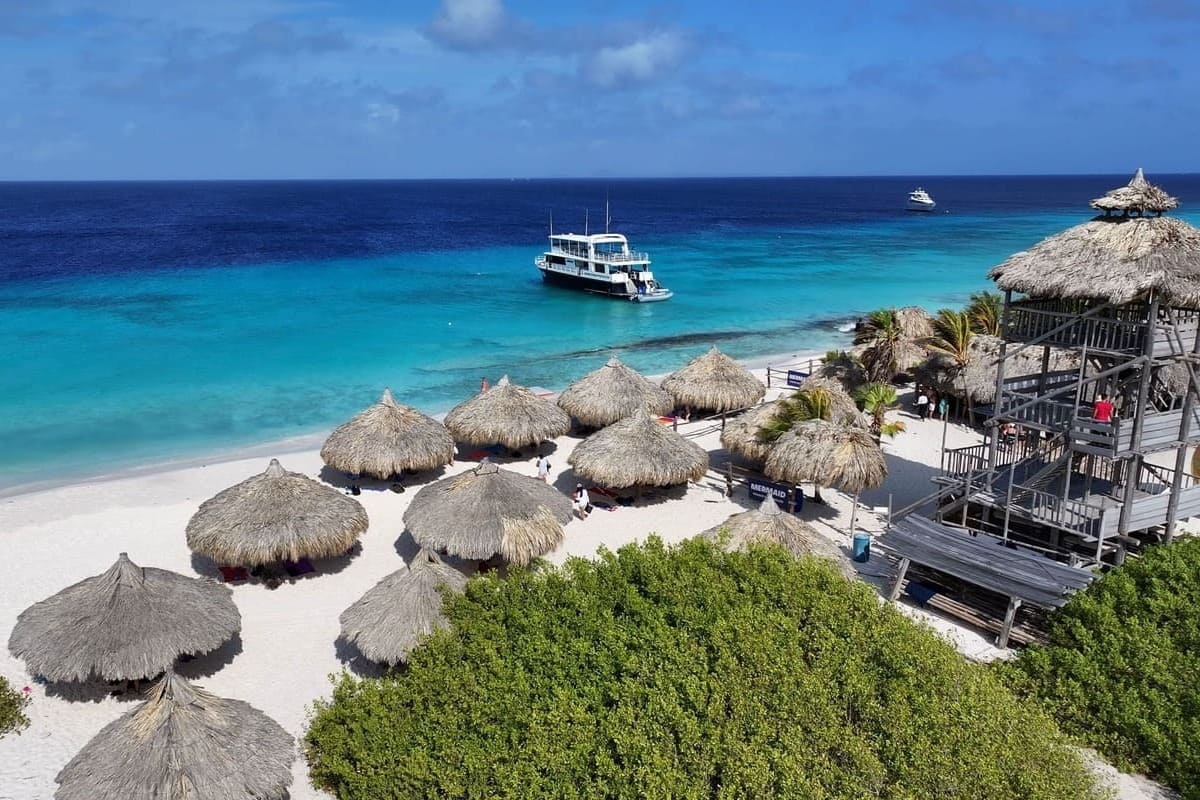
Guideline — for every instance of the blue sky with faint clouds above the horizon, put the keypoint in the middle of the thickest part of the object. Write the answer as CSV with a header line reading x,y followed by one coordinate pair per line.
x,y
163,89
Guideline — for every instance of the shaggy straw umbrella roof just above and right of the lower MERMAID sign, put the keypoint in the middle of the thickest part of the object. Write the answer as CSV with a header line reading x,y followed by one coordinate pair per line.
x,y
827,455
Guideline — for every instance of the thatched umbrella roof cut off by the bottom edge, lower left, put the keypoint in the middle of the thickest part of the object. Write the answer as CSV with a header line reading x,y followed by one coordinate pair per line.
x,y
182,744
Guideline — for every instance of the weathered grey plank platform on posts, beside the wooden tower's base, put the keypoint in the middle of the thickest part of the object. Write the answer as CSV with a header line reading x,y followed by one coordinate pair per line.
x,y
987,562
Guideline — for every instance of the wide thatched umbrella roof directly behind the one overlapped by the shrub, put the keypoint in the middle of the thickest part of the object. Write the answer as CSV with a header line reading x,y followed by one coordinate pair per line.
x,y
489,512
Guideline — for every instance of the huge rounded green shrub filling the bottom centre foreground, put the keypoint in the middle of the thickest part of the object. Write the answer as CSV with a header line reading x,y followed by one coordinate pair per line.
x,y
686,672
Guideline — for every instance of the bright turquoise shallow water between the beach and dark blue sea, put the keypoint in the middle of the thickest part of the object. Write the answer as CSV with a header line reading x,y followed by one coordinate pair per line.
x,y
107,370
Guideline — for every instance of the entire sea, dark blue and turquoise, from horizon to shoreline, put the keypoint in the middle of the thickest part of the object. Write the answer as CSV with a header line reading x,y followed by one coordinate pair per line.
x,y
164,321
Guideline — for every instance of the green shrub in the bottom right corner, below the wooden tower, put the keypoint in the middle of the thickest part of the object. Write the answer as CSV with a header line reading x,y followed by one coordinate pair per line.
x,y
1121,667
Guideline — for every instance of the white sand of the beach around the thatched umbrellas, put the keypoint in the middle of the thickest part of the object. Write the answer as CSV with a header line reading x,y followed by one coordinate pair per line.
x,y
53,538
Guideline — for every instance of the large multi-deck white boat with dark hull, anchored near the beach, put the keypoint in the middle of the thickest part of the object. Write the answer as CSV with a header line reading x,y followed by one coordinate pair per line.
x,y
601,264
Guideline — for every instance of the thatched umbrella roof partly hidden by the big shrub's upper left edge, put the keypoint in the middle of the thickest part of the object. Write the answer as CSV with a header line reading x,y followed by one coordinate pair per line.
x,y
395,615
